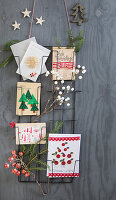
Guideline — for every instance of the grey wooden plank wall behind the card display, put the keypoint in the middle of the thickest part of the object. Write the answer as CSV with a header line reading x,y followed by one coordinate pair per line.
x,y
95,106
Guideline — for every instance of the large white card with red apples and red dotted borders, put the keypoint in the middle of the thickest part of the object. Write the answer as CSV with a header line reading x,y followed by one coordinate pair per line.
x,y
63,155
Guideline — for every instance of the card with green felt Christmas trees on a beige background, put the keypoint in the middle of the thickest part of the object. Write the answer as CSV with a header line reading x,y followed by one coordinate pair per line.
x,y
28,98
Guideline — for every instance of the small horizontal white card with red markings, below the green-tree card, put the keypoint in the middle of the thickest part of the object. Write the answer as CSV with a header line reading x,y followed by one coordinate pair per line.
x,y
30,133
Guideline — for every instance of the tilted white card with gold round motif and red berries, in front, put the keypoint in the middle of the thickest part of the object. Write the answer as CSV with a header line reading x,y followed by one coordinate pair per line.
x,y
33,61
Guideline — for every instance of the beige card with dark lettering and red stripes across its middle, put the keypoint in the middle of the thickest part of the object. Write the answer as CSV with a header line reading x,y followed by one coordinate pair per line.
x,y
63,62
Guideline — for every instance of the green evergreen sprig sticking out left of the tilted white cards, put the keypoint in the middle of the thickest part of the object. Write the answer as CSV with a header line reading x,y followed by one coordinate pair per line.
x,y
10,58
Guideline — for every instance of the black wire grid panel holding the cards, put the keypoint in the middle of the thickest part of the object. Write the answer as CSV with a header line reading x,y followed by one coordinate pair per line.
x,y
41,176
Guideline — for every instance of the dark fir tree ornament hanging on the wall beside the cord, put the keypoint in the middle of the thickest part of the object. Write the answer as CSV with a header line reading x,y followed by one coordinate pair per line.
x,y
78,14
